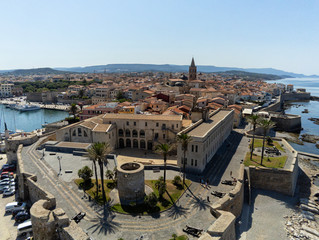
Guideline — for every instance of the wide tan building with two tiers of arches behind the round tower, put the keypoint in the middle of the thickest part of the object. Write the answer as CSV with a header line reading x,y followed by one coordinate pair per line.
x,y
124,130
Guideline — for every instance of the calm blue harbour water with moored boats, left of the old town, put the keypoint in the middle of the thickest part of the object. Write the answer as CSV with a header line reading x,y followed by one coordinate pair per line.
x,y
30,120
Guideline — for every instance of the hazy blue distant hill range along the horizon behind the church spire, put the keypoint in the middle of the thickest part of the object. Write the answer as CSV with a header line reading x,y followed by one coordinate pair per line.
x,y
176,68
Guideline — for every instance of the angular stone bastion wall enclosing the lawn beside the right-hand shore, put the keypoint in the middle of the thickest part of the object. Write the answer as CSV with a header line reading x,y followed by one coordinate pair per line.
x,y
279,180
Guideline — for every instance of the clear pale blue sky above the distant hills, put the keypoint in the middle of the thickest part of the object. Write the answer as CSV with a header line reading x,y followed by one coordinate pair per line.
x,y
281,34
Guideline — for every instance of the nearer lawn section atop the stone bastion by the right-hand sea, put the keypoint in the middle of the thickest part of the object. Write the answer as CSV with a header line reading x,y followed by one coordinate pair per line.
x,y
272,162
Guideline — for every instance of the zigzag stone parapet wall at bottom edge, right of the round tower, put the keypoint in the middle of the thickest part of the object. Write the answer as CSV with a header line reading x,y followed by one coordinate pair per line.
x,y
226,210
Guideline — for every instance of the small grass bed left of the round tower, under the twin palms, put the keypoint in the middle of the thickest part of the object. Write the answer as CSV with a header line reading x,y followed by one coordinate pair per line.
x,y
108,186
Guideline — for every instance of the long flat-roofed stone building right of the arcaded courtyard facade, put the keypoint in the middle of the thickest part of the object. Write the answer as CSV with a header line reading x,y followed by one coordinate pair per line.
x,y
207,135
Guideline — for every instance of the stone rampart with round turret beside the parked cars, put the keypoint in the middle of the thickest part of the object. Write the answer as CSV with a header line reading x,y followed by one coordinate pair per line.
x,y
48,222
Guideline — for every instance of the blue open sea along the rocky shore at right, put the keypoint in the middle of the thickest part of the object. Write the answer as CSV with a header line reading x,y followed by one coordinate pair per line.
x,y
312,86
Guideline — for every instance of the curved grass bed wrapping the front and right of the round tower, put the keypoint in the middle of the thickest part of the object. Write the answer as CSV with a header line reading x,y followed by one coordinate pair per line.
x,y
171,195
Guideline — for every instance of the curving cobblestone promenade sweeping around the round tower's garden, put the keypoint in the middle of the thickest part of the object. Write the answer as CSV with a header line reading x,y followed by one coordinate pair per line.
x,y
191,209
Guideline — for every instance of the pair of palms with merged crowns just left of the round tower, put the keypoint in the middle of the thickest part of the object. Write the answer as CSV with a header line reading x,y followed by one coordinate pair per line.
x,y
97,152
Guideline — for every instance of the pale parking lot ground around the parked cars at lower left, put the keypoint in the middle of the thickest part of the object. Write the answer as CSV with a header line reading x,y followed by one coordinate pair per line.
x,y
8,226
